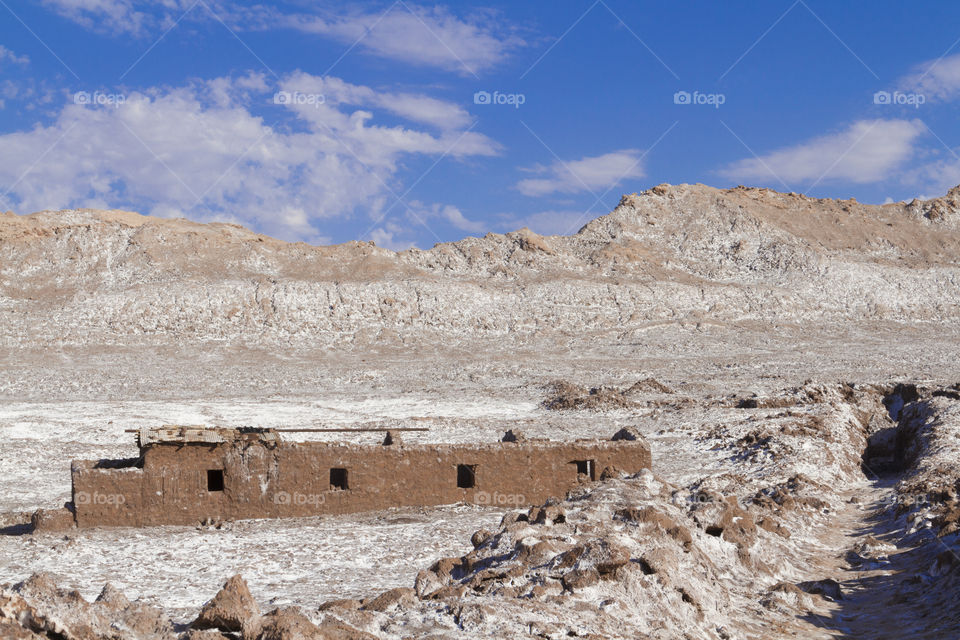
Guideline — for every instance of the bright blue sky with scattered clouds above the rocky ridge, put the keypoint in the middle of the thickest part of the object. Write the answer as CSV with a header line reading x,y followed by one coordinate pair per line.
x,y
409,123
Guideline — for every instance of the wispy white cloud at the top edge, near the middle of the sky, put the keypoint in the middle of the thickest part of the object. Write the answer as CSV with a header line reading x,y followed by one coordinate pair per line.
x,y
428,36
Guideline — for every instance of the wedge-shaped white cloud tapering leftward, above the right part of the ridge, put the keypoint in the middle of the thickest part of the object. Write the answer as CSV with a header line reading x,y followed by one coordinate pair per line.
x,y
866,151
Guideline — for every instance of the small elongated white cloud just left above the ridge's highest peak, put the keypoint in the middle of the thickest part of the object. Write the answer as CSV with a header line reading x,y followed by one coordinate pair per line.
x,y
586,174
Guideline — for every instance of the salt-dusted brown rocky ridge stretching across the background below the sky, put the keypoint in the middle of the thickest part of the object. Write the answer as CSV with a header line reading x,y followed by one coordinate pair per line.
x,y
674,254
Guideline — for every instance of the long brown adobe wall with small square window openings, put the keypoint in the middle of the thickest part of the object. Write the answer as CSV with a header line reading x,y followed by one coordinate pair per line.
x,y
293,479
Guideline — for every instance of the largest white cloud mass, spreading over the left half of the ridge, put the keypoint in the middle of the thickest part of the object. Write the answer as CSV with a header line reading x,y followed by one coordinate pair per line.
x,y
197,151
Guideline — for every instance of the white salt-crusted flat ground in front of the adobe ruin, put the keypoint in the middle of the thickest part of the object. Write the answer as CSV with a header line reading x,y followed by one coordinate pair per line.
x,y
301,561
